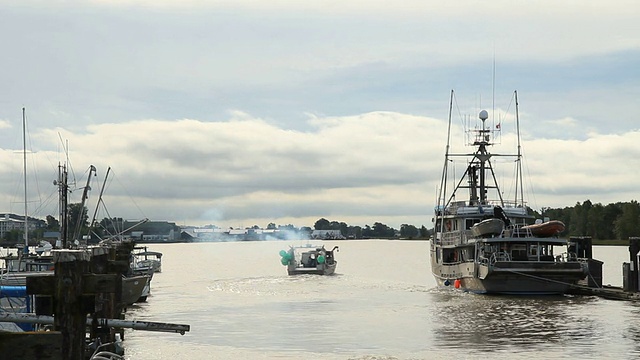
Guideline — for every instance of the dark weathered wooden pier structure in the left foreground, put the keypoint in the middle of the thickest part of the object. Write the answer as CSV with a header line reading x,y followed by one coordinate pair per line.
x,y
81,300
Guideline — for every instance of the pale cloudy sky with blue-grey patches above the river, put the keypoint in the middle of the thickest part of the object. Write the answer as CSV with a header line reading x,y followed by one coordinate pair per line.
x,y
241,113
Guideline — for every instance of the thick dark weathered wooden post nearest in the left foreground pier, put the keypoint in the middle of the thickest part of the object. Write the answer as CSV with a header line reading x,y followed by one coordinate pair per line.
x,y
71,307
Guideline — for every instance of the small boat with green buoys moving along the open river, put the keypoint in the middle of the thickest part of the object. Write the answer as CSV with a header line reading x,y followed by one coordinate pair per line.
x,y
309,259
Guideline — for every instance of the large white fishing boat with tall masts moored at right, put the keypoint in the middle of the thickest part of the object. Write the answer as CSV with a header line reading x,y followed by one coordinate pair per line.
x,y
472,252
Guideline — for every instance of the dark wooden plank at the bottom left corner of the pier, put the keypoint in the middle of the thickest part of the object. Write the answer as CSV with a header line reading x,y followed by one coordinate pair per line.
x,y
43,345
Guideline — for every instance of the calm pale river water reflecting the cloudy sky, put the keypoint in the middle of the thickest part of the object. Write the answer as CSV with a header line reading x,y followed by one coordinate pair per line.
x,y
381,304
